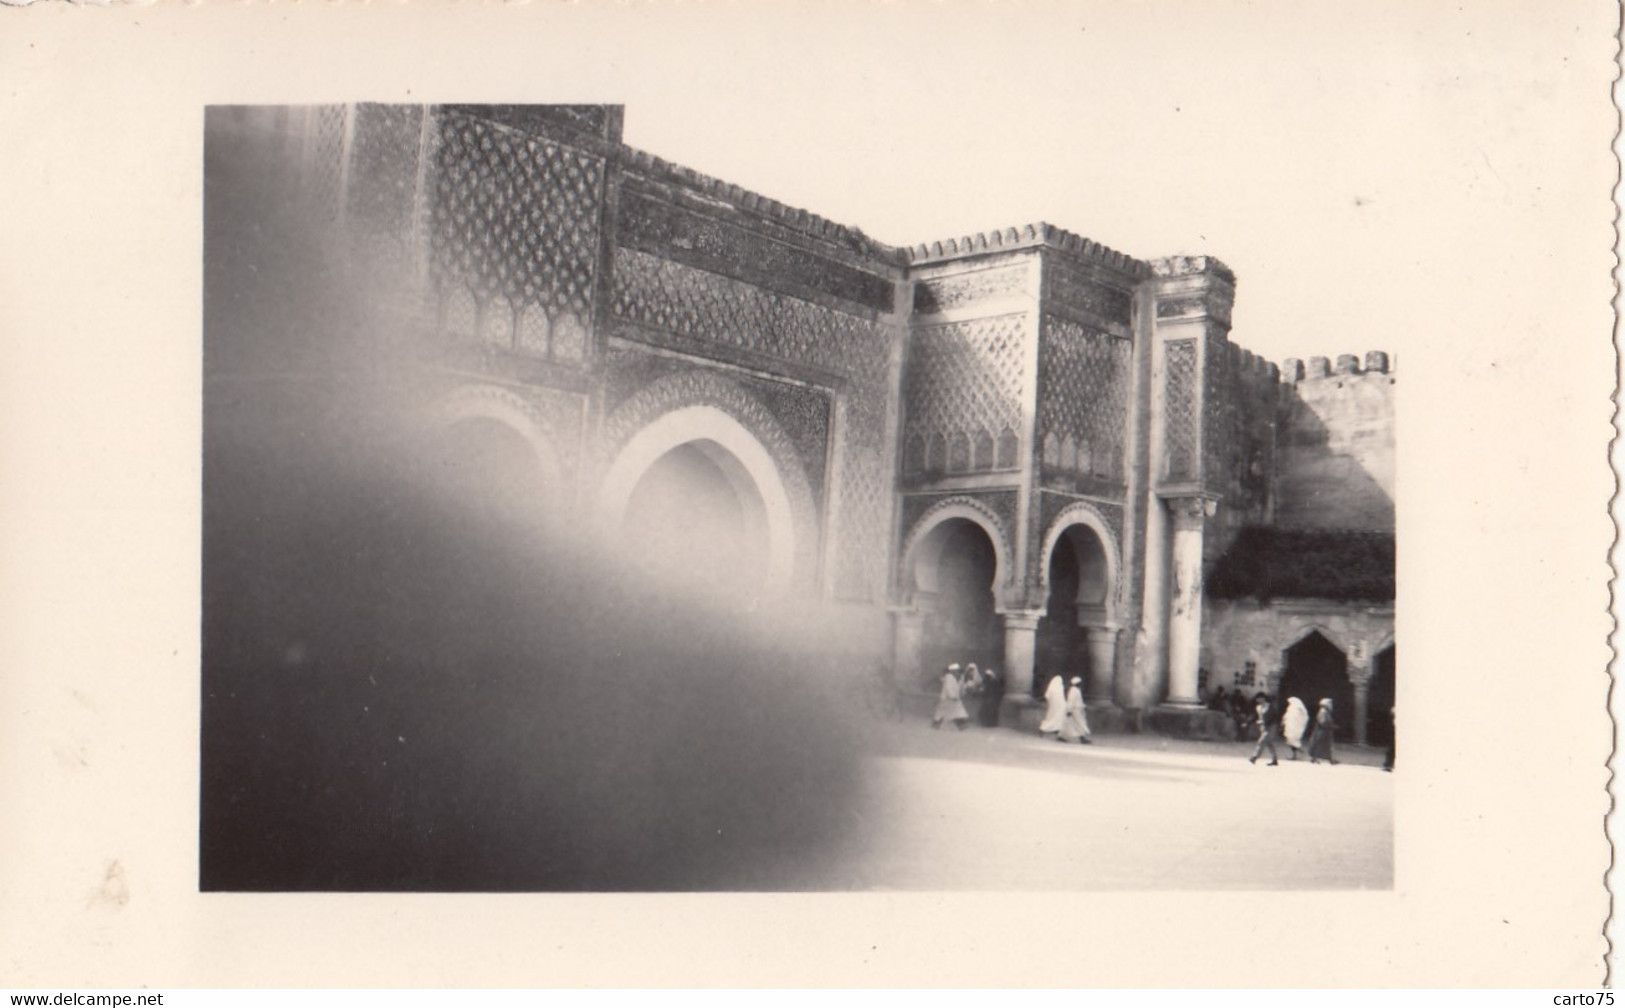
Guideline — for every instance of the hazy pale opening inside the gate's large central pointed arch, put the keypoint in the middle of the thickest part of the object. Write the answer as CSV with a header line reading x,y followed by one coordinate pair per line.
x,y
696,519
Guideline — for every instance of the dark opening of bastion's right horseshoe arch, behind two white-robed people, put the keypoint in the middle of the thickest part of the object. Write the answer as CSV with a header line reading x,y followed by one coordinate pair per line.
x,y
1080,586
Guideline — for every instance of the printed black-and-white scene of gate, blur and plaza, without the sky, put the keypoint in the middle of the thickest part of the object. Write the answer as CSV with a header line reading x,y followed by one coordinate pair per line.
x,y
579,521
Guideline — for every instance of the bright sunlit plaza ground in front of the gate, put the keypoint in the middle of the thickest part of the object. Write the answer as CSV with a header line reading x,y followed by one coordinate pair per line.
x,y
1003,809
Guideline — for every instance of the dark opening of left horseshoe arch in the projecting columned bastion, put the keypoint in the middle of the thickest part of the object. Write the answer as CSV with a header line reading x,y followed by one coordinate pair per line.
x,y
955,573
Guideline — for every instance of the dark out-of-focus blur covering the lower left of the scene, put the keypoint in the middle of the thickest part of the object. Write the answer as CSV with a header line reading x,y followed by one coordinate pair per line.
x,y
410,684
